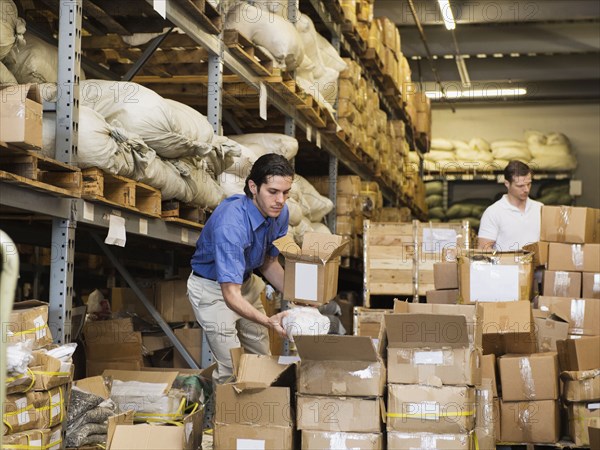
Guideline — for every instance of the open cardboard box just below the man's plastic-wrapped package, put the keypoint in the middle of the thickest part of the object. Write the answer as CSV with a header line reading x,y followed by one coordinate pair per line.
x,y
339,365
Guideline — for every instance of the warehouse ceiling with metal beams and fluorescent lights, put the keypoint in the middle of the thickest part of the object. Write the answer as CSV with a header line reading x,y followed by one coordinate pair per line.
x,y
550,49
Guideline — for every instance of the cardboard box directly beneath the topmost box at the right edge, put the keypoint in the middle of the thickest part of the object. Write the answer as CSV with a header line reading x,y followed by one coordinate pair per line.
x,y
574,257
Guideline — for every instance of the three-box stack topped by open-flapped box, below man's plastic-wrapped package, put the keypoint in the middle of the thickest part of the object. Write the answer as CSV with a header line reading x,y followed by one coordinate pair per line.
x,y
333,404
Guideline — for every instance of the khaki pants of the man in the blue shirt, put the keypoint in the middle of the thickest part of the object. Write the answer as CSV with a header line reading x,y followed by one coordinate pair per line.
x,y
224,328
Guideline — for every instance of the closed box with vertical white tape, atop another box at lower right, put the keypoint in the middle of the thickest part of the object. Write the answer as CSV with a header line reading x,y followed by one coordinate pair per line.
x,y
529,377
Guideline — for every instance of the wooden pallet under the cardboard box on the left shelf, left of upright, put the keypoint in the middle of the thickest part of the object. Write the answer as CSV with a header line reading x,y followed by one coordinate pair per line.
x,y
34,170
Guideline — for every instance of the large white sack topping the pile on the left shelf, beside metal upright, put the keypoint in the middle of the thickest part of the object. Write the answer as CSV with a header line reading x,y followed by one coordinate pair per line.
x,y
147,114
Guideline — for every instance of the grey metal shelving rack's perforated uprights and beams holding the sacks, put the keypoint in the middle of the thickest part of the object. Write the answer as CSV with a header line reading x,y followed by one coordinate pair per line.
x,y
67,214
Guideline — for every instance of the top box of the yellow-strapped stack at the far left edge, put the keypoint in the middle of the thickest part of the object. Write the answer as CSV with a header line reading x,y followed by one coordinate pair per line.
x,y
29,321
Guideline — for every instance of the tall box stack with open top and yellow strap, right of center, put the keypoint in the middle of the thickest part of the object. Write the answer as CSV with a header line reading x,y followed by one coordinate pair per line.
x,y
434,354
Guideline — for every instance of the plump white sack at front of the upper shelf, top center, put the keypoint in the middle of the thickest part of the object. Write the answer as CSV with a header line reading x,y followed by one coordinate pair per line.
x,y
267,30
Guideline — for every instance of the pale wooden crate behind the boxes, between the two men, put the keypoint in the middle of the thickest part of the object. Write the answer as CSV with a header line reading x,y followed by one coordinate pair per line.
x,y
398,261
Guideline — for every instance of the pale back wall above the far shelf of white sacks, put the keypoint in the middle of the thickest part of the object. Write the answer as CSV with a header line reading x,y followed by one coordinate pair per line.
x,y
579,122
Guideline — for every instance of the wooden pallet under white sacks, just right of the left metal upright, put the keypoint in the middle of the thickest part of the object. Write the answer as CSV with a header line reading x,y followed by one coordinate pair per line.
x,y
121,192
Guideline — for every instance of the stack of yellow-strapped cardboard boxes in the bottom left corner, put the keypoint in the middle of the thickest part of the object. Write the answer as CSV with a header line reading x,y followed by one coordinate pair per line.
x,y
38,381
